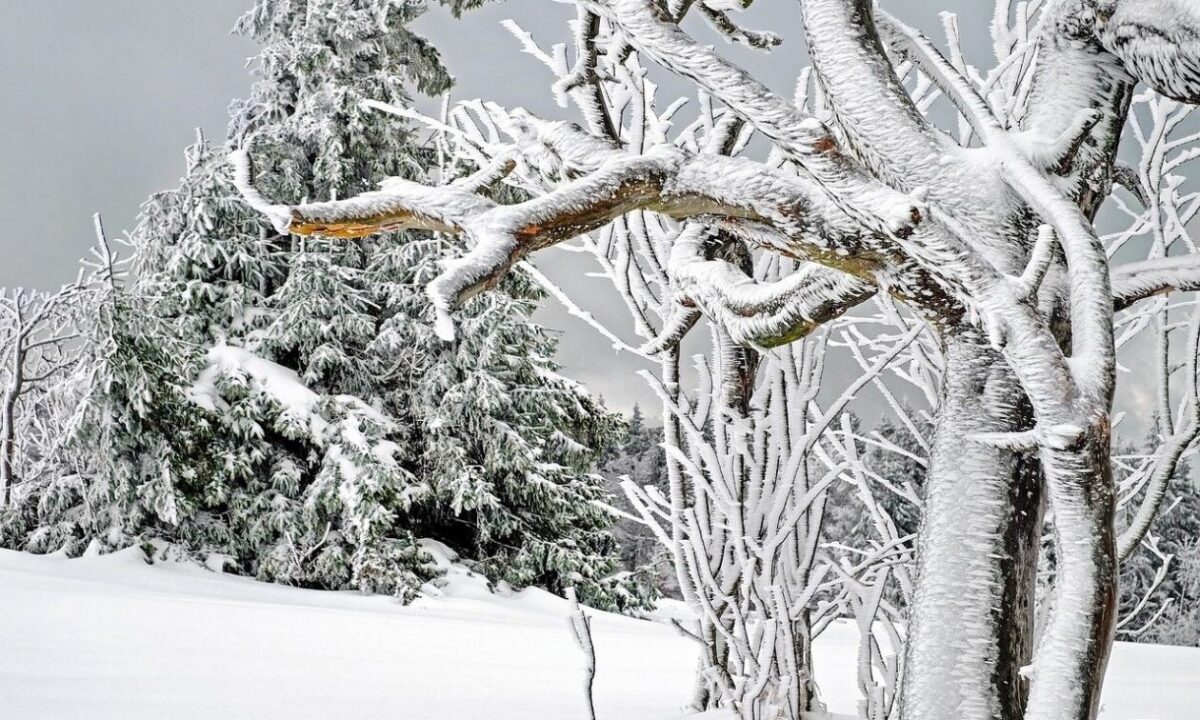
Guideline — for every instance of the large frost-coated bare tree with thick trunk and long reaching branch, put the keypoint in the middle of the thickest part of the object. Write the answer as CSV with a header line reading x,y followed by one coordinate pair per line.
x,y
986,233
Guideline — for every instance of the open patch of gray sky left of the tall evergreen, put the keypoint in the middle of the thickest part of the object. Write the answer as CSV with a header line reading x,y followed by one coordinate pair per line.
x,y
100,98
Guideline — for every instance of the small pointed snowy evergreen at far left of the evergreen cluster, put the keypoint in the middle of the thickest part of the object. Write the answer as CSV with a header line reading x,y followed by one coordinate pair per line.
x,y
125,454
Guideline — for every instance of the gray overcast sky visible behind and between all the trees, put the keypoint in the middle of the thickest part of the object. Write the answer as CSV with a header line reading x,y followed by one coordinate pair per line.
x,y
100,98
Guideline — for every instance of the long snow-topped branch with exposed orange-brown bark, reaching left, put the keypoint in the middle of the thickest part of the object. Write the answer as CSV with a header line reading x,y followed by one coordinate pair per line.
x,y
665,179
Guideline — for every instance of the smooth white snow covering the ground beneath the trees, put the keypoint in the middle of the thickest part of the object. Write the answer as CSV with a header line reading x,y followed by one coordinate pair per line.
x,y
113,638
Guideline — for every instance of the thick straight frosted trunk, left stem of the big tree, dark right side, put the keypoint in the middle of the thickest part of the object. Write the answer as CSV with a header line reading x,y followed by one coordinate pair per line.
x,y
971,622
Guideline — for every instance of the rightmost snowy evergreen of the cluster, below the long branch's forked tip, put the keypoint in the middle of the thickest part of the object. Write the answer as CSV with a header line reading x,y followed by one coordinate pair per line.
x,y
507,445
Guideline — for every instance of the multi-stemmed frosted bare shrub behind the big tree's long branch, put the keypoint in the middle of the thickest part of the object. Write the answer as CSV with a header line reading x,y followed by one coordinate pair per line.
x,y
757,638
